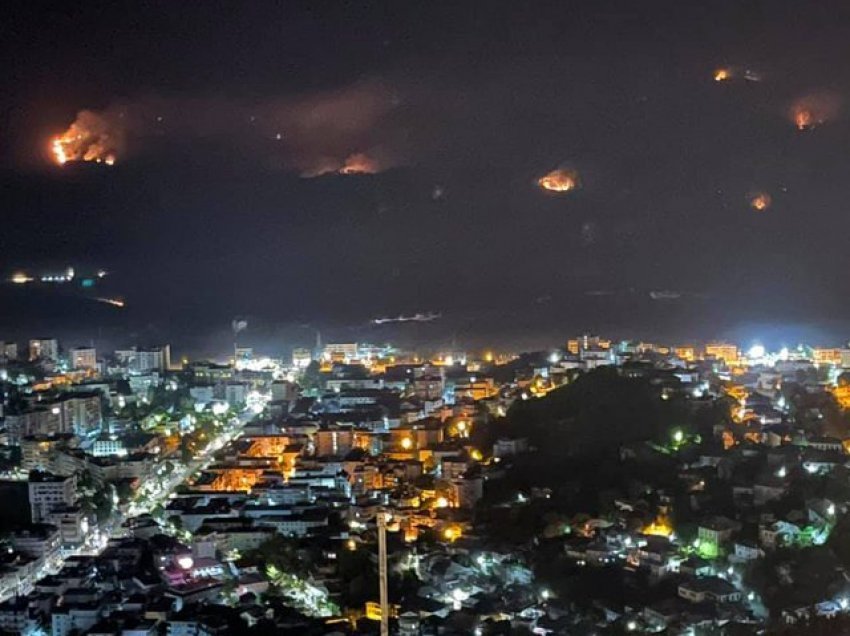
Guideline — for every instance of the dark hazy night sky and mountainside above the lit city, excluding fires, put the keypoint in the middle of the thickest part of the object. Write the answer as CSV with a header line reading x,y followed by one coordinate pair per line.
x,y
223,114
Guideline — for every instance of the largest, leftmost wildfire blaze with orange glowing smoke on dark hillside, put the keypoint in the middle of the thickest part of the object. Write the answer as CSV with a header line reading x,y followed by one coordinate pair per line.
x,y
89,138
